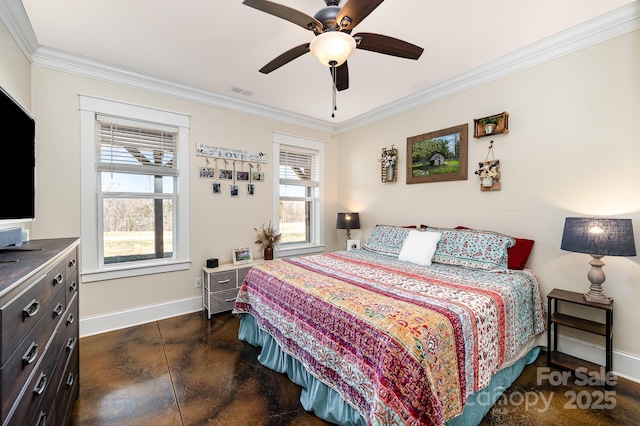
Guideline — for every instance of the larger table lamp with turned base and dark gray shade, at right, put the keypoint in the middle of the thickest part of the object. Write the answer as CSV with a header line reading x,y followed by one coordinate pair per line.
x,y
599,238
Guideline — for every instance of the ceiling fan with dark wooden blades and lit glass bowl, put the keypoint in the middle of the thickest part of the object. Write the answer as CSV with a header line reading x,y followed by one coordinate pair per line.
x,y
333,43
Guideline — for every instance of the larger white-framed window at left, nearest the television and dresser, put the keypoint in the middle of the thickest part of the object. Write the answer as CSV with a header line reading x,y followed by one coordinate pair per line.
x,y
135,197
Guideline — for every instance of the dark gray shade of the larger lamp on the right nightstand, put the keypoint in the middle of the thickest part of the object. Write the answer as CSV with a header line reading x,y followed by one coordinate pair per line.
x,y
606,237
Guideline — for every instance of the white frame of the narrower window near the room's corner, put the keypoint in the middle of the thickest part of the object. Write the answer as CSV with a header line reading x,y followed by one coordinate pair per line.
x,y
317,243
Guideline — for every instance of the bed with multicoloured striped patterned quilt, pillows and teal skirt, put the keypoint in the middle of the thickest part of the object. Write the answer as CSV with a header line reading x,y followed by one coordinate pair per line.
x,y
419,327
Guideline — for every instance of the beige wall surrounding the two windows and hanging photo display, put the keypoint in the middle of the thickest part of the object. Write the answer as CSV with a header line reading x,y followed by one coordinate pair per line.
x,y
218,223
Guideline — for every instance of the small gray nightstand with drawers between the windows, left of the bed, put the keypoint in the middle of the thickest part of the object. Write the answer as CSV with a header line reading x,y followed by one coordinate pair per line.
x,y
220,286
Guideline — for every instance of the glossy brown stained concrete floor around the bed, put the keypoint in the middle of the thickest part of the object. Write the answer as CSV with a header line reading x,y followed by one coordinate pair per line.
x,y
190,371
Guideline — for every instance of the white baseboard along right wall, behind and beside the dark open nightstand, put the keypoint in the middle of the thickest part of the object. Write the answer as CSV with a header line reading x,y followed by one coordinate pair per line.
x,y
624,364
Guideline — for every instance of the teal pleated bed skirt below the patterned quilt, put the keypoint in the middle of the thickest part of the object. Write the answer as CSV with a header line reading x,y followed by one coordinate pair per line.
x,y
327,404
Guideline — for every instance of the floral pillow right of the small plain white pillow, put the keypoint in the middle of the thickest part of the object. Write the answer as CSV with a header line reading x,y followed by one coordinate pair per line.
x,y
472,249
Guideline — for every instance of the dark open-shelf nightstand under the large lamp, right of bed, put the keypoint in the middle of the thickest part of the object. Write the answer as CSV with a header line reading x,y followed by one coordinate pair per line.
x,y
555,318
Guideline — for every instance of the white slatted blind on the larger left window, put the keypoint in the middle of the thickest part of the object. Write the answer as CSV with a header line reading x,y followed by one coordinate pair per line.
x,y
124,148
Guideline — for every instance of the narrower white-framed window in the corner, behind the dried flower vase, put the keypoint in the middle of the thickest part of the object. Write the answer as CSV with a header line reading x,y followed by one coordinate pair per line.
x,y
300,210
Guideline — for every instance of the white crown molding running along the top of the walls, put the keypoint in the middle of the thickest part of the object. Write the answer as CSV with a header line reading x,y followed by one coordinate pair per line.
x,y
610,25
